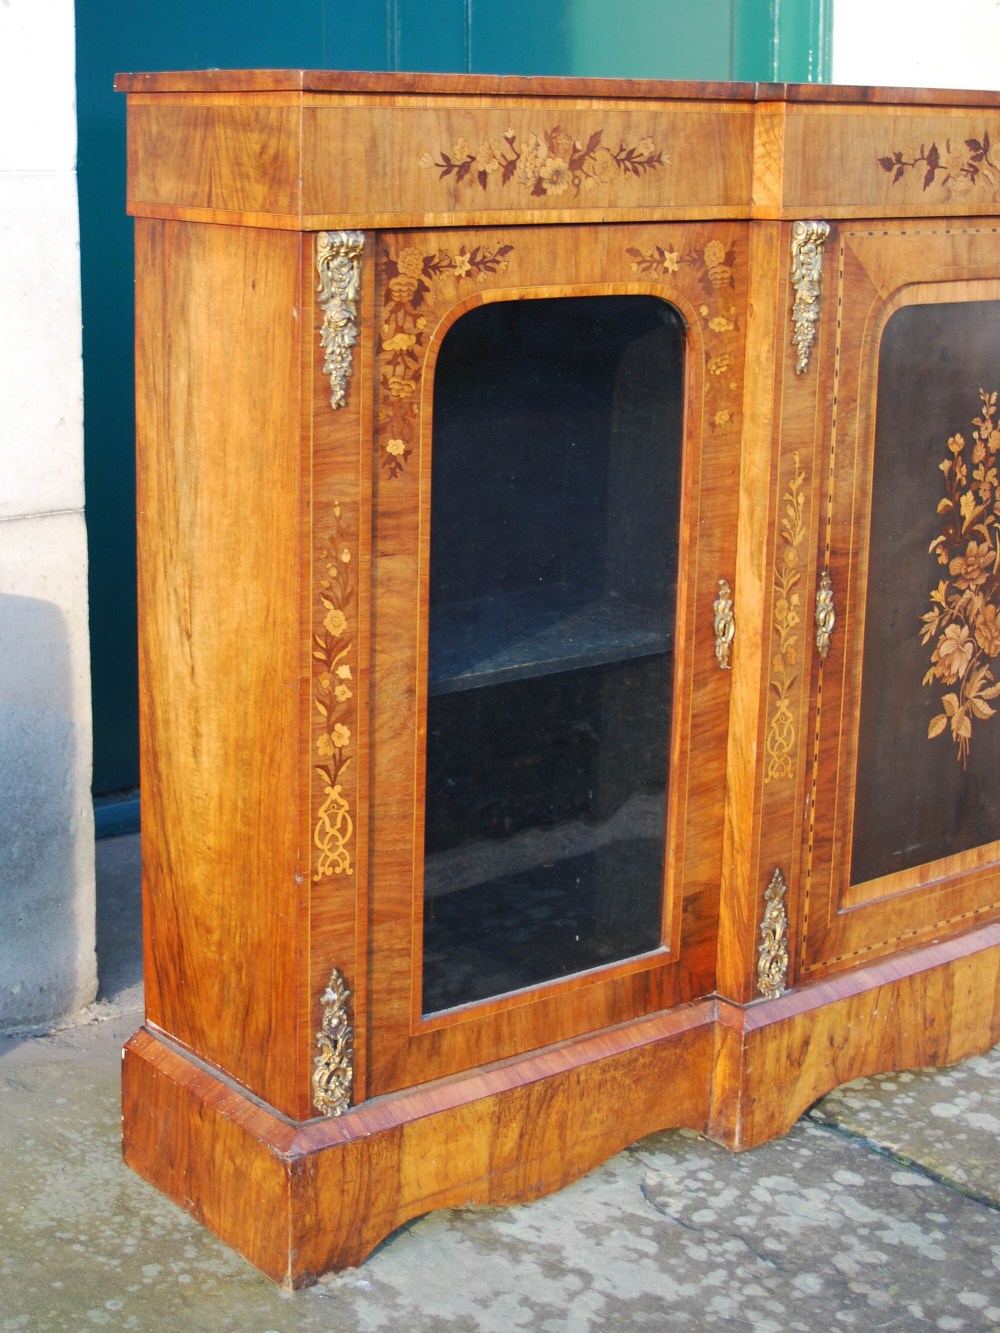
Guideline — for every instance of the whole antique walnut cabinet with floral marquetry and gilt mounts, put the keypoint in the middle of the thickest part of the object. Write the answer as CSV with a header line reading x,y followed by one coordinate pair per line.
x,y
570,547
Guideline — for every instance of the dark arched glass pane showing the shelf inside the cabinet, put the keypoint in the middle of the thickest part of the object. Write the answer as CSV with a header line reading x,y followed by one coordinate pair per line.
x,y
554,561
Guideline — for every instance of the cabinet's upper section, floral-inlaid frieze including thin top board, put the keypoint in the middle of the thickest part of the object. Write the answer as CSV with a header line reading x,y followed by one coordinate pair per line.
x,y
310,150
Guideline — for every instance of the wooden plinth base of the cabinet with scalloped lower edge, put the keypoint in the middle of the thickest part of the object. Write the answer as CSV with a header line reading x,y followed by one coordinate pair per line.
x,y
299,1200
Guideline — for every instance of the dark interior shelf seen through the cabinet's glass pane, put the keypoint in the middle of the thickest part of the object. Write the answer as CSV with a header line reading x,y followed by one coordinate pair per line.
x,y
537,633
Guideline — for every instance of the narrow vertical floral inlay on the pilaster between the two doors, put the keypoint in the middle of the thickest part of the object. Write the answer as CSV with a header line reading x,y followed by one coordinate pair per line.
x,y
786,621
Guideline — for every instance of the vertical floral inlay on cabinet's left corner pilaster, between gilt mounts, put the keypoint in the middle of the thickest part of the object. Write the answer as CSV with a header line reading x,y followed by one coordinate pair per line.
x,y
334,690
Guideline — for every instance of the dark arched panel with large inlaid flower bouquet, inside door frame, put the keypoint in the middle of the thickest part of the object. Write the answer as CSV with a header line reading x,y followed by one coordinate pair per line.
x,y
929,768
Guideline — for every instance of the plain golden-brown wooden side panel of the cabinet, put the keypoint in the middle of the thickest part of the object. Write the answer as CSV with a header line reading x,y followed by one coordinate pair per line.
x,y
219,477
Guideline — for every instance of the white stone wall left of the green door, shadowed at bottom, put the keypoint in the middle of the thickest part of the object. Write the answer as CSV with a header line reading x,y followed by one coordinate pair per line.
x,y
47,907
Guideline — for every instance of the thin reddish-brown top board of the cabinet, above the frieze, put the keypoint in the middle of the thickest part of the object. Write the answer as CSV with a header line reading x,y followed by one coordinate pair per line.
x,y
517,86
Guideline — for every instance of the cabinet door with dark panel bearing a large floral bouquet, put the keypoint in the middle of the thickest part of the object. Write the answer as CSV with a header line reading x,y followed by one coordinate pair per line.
x,y
903,842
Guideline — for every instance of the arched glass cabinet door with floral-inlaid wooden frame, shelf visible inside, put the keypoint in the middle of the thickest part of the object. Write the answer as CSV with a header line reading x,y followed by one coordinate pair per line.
x,y
557,459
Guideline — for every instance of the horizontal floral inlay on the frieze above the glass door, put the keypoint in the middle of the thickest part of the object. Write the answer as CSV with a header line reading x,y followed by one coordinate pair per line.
x,y
546,165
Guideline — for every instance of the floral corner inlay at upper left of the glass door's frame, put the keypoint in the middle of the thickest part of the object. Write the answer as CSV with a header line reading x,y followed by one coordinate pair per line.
x,y
409,318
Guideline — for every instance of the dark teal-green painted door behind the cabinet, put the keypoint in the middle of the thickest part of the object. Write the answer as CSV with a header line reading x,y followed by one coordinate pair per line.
x,y
666,39
